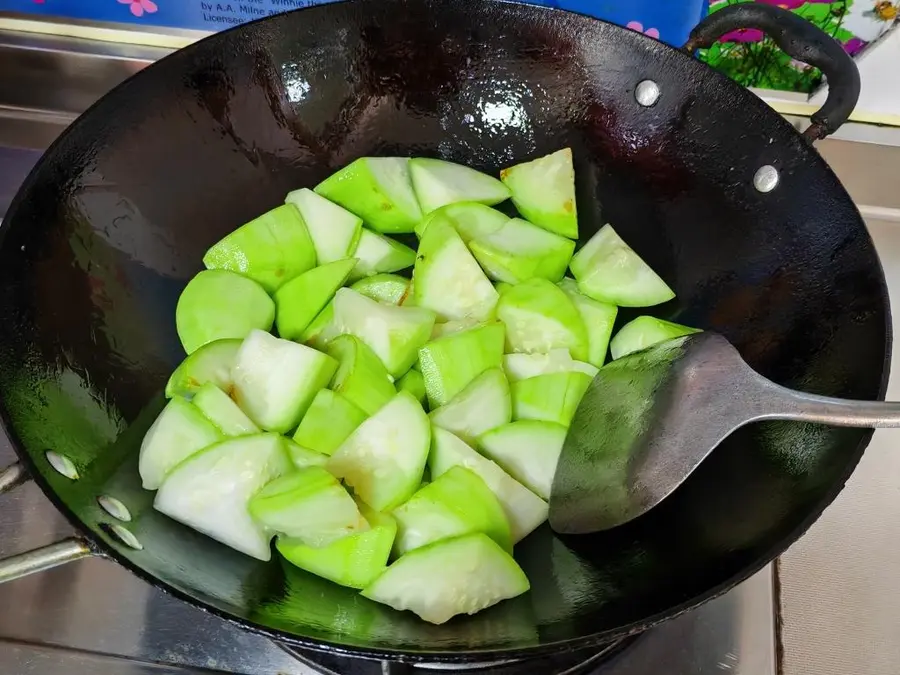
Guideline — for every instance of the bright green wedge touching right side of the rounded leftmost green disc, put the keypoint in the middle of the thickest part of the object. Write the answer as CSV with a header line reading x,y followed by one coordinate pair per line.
x,y
300,300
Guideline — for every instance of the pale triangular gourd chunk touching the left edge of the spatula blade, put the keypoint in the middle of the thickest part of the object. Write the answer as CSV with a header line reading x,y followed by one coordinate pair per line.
x,y
528,451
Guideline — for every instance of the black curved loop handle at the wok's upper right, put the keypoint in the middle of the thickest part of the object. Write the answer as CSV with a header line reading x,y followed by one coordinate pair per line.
x,y
803,41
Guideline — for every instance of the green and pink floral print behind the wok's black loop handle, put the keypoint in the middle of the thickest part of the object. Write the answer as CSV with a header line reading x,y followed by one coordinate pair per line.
x,y
753,60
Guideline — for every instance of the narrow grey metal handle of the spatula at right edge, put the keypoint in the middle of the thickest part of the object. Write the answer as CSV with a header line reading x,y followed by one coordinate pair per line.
x,y
837,412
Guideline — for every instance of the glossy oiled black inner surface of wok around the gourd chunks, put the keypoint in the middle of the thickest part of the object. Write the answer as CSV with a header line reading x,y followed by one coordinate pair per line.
x,y
117,217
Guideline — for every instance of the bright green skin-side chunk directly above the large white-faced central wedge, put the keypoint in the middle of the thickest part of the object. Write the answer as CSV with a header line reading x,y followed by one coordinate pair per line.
x,y
361,377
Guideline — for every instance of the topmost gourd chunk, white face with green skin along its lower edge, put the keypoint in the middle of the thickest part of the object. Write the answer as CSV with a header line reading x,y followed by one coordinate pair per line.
x,y
543,191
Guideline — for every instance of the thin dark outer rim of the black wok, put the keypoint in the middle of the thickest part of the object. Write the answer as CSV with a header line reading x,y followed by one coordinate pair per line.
x,y
104,549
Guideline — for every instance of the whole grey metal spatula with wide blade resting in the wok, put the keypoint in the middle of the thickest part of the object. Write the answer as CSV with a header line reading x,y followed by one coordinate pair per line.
x,y
650,418
